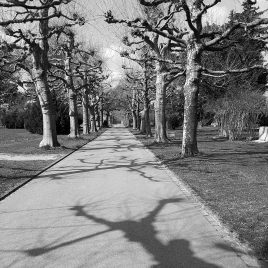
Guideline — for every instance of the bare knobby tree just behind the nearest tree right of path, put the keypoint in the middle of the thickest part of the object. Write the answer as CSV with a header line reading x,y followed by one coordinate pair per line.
x,y
167,66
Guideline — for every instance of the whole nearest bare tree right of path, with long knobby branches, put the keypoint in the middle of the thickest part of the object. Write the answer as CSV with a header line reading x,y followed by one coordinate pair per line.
x,y
192,40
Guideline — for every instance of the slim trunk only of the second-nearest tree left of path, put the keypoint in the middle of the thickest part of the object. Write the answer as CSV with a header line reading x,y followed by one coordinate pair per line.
x,y
73,113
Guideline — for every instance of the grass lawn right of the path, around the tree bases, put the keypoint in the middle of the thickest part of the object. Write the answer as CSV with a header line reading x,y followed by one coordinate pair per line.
x,y
231,178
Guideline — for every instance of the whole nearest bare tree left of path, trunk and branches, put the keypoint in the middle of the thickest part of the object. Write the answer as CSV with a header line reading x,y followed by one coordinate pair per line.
x,y
35,44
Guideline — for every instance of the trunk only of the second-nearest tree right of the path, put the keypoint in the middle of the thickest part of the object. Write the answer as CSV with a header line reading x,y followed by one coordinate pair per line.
x,y
160,104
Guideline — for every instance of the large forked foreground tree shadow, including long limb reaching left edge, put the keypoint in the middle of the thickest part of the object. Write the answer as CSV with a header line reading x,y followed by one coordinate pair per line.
x,y
176,253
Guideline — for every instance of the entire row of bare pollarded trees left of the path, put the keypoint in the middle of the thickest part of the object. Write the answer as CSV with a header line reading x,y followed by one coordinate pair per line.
x,y
41,46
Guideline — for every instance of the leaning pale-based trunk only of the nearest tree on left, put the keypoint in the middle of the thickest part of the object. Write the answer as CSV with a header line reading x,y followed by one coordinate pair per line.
x,y
39,76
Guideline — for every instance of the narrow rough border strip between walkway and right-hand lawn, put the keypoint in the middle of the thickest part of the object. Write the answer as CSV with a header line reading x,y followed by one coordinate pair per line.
x,y
231,237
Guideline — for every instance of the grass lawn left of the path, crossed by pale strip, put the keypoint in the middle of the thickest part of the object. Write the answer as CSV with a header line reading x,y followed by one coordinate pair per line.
x,y
19,141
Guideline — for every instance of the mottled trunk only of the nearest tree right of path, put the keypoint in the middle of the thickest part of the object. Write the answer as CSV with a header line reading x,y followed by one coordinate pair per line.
x,y
191,90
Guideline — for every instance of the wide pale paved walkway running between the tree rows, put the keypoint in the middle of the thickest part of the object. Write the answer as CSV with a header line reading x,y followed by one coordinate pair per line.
x,y
110,204
